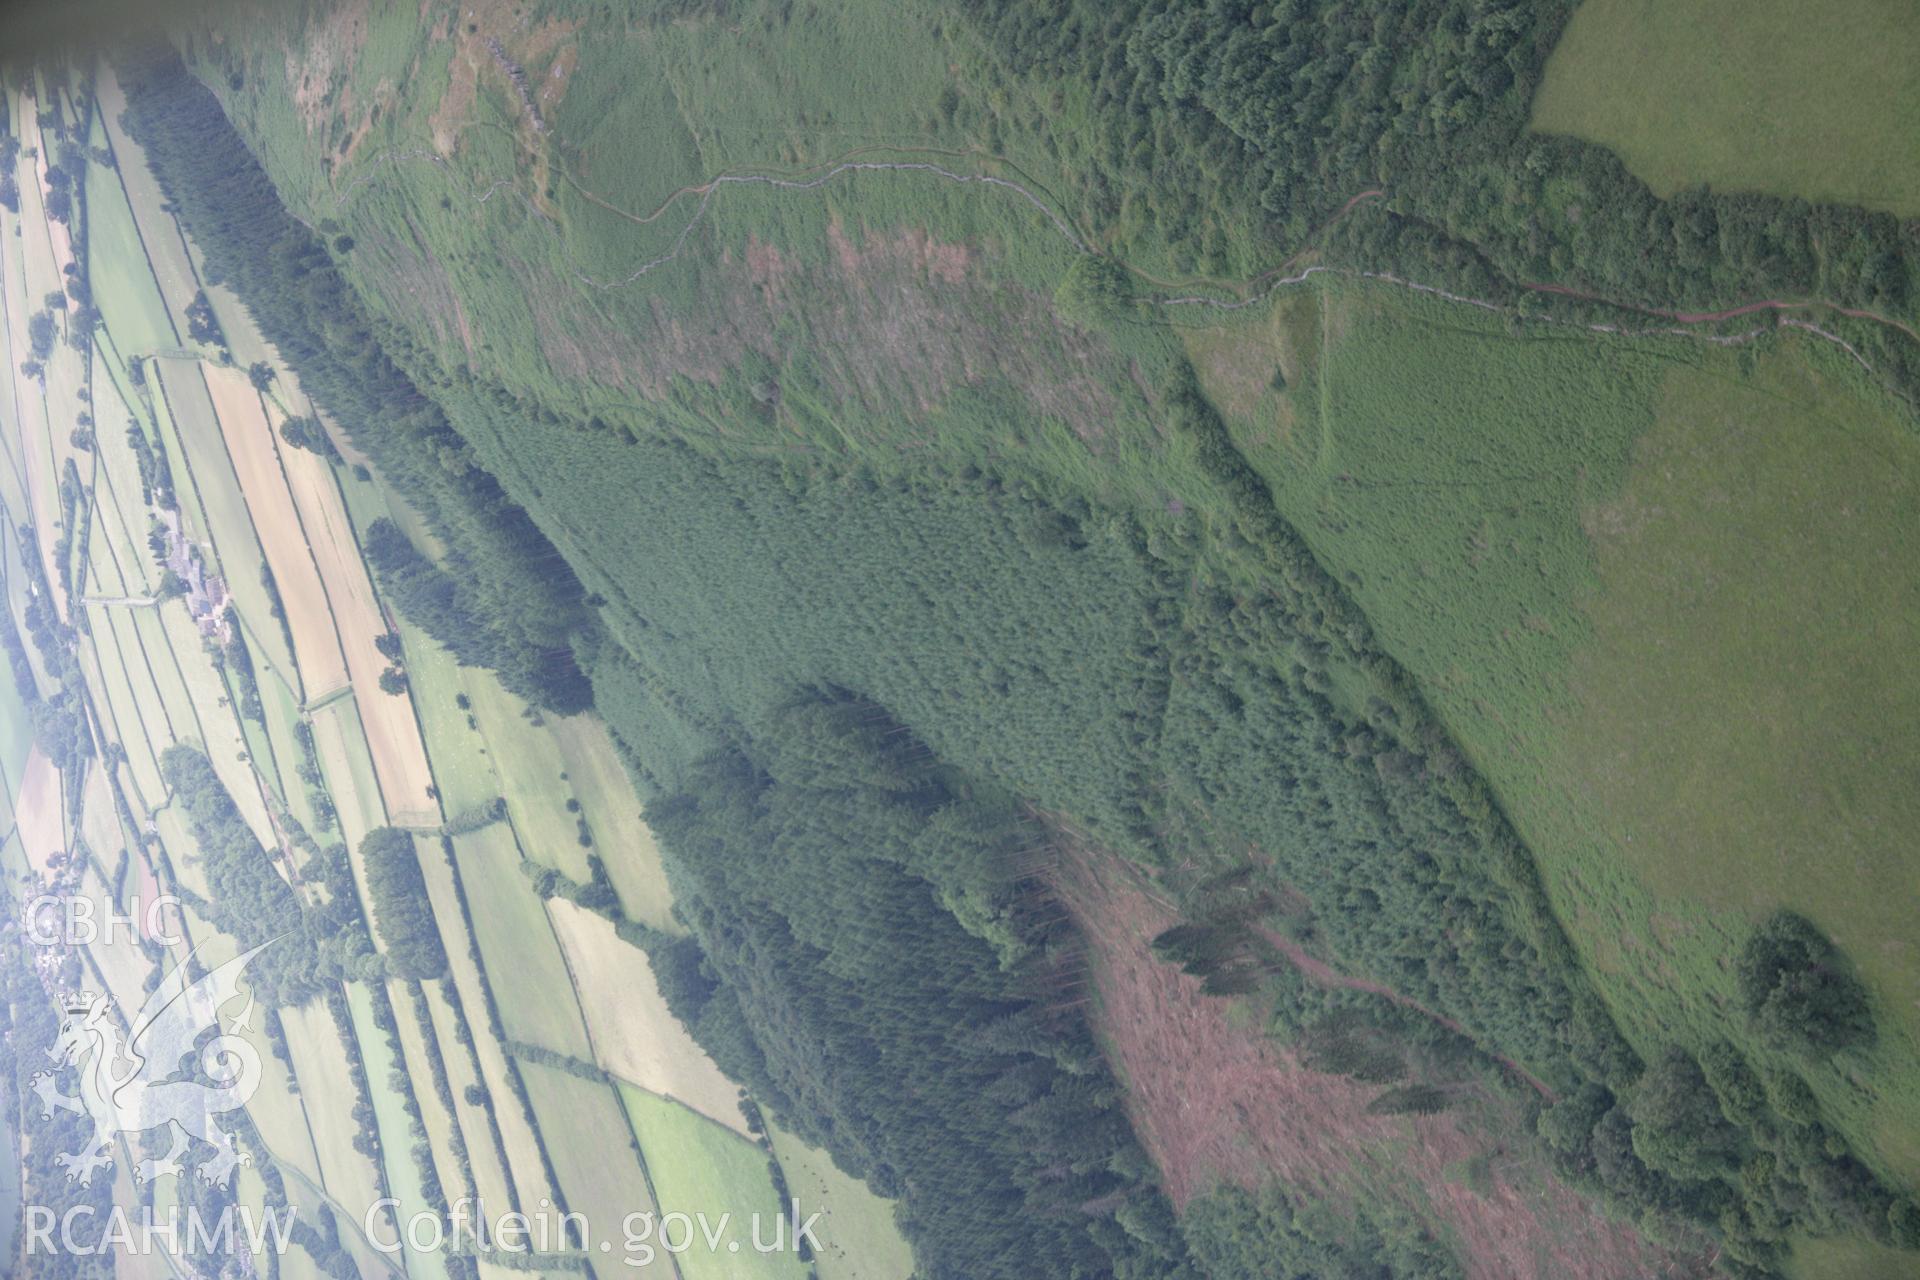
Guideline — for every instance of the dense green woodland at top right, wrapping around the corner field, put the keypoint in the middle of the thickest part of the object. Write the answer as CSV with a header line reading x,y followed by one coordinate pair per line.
x,y
1224,131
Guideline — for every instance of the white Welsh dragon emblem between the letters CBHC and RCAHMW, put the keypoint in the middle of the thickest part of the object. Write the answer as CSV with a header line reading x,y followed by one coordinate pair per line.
x,y
137,1083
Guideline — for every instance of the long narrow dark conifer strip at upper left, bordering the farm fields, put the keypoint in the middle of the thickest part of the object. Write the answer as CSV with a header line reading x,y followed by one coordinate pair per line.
x,y
521,602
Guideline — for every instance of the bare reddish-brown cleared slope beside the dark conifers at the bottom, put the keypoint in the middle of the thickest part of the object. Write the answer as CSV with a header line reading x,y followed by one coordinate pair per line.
x,y
1216,1101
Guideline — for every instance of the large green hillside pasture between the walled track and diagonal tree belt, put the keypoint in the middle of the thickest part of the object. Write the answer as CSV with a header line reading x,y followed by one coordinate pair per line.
x,y
1618,573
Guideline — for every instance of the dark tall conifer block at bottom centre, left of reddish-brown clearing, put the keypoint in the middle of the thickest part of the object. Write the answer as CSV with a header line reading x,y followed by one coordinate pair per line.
x,y
832,980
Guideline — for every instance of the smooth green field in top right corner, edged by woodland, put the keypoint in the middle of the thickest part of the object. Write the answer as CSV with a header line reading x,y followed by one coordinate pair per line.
x,y
1767,95
